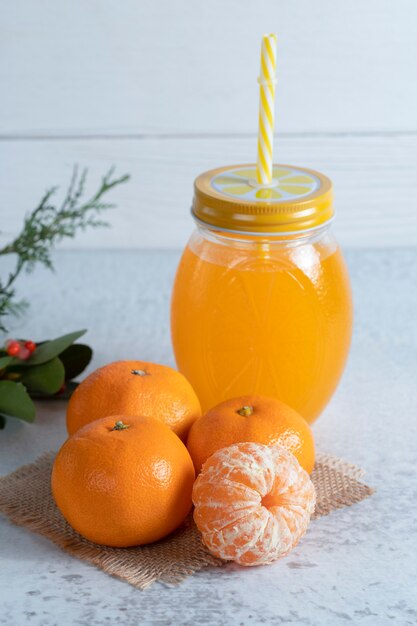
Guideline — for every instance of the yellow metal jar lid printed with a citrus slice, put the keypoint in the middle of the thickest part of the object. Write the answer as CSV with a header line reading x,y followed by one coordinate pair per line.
x,y
229,198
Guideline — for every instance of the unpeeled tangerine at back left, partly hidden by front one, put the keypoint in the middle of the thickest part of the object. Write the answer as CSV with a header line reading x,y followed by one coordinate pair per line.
x,y
135,388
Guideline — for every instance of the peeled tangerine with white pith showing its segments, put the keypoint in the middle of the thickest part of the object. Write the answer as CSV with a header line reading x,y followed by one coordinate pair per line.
x,y
253,503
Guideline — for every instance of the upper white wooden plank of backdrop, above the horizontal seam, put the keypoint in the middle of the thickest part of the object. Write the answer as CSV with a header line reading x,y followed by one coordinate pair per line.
x,y
178,67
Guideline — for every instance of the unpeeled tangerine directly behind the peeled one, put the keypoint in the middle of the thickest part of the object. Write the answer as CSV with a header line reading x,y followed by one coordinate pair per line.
x,y
251,418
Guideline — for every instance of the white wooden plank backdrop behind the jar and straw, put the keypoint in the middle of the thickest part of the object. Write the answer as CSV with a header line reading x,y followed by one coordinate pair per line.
x,y
166,89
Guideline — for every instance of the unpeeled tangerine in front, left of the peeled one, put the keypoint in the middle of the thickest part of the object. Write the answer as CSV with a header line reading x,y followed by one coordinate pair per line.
x,y
123,481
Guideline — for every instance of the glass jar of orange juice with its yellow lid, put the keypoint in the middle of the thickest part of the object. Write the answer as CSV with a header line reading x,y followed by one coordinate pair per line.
x,y
261,301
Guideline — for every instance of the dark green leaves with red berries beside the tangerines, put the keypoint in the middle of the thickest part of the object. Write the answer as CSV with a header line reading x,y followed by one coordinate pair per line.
x,y
47,373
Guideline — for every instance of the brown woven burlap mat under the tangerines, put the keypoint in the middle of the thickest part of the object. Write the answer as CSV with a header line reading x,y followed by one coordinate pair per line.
x,y
25,497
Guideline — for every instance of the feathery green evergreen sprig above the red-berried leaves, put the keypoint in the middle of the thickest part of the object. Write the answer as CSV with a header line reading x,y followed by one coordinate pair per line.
x,y
46,226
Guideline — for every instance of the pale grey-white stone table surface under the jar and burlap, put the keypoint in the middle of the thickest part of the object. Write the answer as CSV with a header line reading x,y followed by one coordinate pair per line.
x,y
356,566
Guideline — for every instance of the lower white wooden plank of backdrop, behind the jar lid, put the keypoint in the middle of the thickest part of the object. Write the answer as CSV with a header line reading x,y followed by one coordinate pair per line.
x,y
375,183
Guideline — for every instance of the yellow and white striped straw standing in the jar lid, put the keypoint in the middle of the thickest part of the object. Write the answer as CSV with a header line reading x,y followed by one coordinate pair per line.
x,y
266,109
